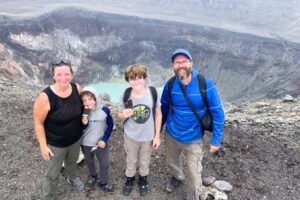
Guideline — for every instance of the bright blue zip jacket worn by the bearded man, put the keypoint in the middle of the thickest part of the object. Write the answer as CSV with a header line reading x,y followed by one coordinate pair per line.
x,y
182,125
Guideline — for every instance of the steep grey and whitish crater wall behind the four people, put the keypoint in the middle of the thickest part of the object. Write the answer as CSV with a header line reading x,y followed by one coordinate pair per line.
x,y
101,45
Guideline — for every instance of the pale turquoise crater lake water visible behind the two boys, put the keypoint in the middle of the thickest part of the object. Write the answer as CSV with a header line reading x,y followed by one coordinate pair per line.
x,y
114,89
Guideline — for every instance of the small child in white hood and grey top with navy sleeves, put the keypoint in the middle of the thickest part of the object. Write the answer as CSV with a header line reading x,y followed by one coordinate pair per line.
x,y
98,125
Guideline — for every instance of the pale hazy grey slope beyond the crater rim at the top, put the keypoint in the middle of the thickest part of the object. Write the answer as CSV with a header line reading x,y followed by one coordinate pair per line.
x,y
269,18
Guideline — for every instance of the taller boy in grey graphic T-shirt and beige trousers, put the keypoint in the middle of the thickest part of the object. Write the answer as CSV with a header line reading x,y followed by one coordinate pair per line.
x,y
141,128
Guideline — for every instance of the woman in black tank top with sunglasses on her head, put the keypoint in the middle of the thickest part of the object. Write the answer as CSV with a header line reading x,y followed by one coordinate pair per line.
x,y
57,123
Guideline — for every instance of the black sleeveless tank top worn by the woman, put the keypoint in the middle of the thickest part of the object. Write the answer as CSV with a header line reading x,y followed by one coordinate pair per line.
x,y
63,122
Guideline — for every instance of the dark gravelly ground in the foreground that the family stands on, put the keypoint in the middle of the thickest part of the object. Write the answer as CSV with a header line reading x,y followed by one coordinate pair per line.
x,y
261,153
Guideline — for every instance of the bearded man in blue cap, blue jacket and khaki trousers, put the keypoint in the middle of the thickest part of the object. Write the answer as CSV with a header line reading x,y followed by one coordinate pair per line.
x,y
183,130
